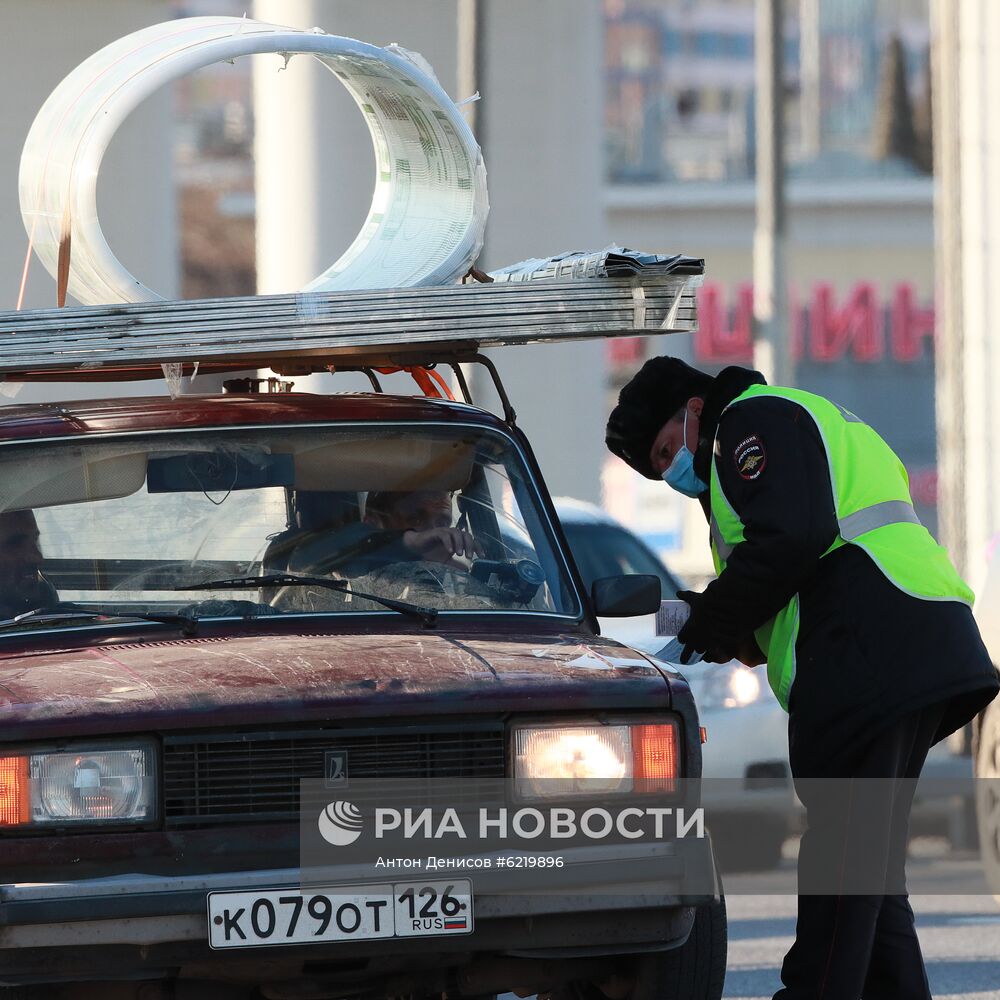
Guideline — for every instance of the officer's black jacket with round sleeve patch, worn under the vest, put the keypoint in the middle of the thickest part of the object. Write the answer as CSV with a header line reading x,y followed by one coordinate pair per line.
x,y
867,653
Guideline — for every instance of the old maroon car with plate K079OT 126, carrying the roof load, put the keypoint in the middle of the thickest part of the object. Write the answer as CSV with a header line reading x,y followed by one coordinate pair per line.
x,y
210,603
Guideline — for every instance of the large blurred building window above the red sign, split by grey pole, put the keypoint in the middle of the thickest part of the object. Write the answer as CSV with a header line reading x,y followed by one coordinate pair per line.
x,y
867,117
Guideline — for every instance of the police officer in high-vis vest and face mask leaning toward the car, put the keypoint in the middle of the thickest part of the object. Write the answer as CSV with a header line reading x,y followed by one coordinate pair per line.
x,y
825,571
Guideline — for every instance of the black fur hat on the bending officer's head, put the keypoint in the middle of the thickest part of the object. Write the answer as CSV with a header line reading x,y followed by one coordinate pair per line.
x,y
654,394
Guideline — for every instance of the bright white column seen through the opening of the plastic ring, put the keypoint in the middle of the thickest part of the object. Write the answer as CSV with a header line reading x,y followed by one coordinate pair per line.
x,y
315,168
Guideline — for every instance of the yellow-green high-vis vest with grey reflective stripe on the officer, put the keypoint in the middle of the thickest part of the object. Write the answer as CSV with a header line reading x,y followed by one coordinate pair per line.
x,y
871,492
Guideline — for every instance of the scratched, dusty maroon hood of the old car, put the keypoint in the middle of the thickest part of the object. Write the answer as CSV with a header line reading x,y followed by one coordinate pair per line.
x,y
216,681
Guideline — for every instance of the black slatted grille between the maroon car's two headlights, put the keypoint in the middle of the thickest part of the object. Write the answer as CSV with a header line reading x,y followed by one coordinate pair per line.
x,y
217,780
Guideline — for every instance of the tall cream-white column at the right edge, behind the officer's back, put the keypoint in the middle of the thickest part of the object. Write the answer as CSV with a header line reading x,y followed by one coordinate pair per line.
x,y
968,152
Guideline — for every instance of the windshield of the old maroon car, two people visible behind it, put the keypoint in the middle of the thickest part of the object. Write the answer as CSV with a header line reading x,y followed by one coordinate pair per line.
x,y
446,518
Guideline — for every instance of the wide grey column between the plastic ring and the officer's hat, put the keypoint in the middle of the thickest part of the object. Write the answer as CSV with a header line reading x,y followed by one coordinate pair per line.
x,y
541,128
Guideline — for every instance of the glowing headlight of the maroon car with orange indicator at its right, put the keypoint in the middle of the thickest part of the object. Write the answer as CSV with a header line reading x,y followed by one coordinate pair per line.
x,y
559,761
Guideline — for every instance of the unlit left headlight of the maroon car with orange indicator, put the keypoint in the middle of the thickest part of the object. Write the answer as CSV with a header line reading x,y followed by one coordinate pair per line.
x,y
90,784
